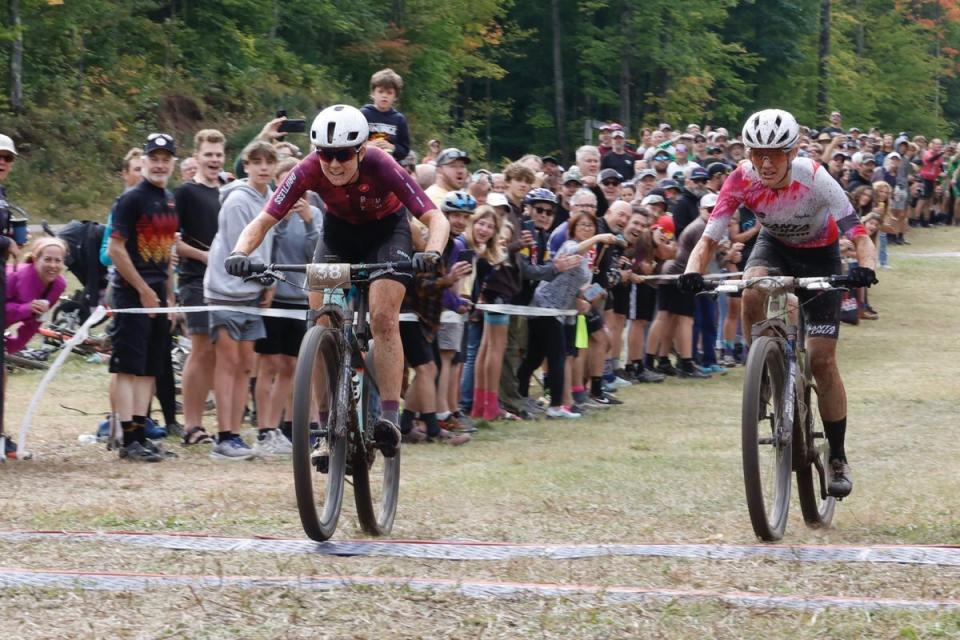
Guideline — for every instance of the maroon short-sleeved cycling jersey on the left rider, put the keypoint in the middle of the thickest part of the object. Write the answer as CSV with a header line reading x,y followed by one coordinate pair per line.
x,y
382,189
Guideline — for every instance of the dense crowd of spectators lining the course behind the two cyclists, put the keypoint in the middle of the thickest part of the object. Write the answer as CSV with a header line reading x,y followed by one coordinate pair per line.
x,y
584,248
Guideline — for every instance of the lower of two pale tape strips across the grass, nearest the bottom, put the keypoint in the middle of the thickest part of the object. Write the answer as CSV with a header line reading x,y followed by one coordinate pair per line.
x,y
19,578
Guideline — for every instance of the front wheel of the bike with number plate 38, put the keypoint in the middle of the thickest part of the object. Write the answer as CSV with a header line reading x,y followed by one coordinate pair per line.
x,y
319,466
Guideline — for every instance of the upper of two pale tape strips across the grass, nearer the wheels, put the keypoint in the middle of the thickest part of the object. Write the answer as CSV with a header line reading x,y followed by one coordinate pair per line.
x,y
454,550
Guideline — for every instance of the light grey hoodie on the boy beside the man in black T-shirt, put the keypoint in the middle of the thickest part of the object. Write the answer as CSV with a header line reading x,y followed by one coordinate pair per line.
x,y
239,205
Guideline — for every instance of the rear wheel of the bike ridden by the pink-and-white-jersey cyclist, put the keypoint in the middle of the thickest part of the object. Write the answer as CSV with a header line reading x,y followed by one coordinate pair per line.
x,y
816,506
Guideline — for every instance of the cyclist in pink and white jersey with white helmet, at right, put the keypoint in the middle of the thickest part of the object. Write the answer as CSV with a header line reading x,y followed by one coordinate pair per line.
x,y
802,211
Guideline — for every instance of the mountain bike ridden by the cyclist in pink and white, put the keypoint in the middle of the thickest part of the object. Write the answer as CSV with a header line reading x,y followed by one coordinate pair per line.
x,y
781,430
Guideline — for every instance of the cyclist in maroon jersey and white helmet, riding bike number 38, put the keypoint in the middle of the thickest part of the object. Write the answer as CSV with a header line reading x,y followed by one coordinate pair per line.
x,y
368,197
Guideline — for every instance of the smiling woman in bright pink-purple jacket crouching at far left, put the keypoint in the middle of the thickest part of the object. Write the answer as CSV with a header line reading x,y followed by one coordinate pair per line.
x,y
33,287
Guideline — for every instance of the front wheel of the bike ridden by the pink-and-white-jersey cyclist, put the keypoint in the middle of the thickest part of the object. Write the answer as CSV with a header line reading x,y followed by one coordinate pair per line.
x,y
766,439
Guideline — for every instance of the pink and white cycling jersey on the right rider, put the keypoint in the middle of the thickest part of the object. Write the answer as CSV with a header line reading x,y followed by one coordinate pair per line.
x,y
810,212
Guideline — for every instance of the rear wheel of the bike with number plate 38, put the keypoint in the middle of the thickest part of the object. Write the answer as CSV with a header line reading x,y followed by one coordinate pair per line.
x,y
376,479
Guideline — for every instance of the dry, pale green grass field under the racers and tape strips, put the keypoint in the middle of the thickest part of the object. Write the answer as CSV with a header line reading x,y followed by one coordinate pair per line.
x,y
665,467
